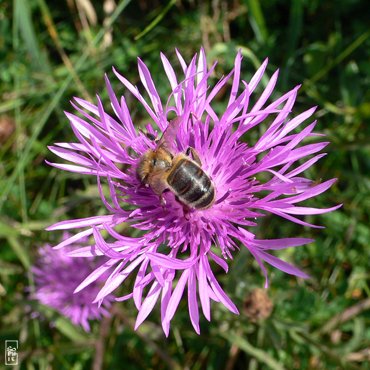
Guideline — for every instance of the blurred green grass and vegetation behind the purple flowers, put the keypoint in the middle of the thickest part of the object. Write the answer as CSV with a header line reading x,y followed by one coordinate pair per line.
x,y
50,53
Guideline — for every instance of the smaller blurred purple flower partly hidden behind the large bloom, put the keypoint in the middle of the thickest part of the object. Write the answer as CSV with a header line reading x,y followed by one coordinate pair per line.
x,y
56,277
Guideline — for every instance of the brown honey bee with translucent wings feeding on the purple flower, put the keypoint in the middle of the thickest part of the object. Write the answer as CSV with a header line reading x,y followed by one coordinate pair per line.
x,y
183,176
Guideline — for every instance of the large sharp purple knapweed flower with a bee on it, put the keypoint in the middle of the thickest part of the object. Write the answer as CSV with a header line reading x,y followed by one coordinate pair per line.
x,y
175,246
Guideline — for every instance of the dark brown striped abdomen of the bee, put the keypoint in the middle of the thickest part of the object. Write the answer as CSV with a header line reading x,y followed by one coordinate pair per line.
x,y
191,185
